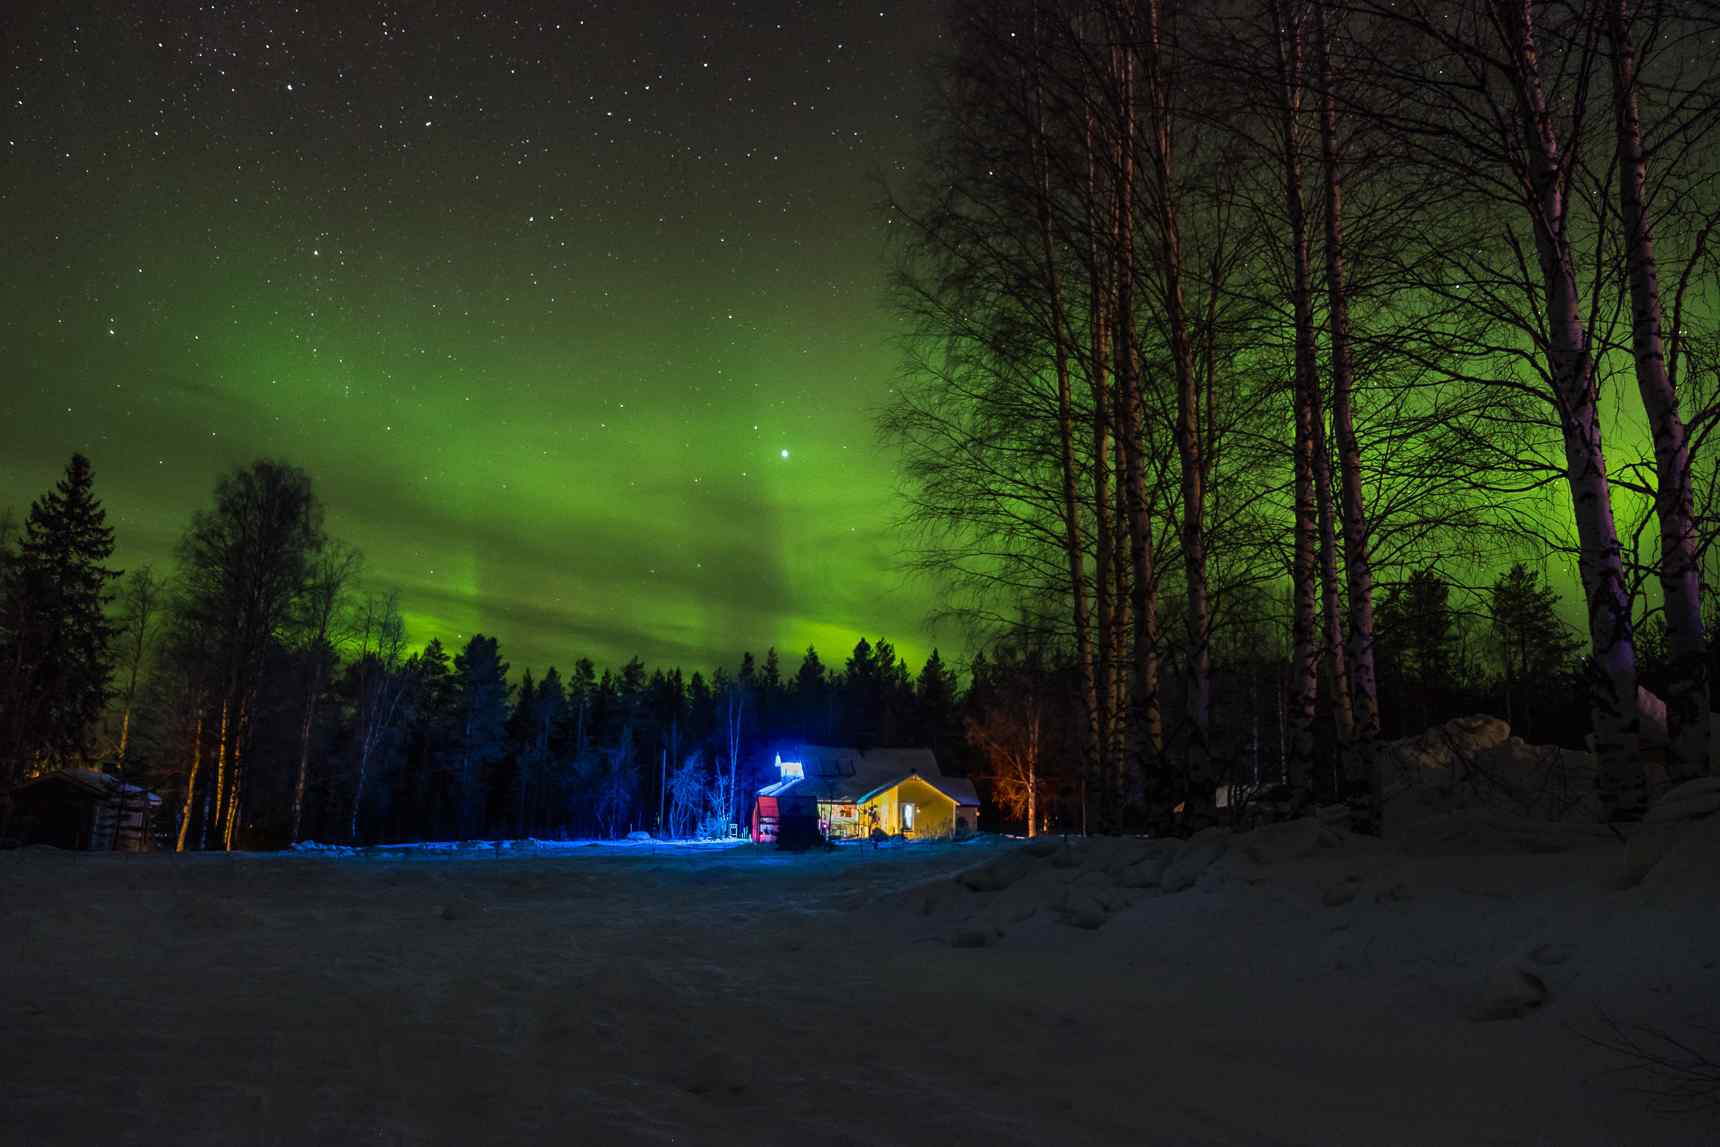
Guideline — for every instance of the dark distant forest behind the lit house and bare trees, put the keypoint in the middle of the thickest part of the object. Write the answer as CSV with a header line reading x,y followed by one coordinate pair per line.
x,y
271,694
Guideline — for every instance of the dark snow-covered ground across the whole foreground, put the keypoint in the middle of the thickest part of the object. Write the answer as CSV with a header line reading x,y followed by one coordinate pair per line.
x,y
1289,986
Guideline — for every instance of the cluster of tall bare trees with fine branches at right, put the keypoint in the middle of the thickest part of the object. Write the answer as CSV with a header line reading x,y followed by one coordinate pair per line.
x,y
1220,300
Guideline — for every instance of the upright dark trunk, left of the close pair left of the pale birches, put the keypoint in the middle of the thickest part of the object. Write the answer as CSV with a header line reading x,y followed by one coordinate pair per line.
x,y
1305,659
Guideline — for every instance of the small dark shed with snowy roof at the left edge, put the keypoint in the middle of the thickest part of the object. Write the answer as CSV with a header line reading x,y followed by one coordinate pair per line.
x,y
80,809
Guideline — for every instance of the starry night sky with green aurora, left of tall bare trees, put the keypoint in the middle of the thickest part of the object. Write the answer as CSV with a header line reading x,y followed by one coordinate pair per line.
x,y
574,312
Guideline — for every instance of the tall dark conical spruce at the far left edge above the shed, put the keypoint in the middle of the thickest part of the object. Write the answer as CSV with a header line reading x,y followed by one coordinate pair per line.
x,y
56,635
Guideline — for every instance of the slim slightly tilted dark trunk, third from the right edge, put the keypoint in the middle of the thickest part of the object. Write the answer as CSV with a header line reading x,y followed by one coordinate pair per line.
x,y
1358,565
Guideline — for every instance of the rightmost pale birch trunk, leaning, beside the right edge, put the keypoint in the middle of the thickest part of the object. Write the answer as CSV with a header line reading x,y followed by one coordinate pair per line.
x,y
1688,706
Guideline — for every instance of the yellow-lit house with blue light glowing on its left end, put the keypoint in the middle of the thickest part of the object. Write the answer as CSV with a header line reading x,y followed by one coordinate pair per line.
x,y
851,794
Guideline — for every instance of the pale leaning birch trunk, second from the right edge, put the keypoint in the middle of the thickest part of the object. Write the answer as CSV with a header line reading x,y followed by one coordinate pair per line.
x,y
1612,678
